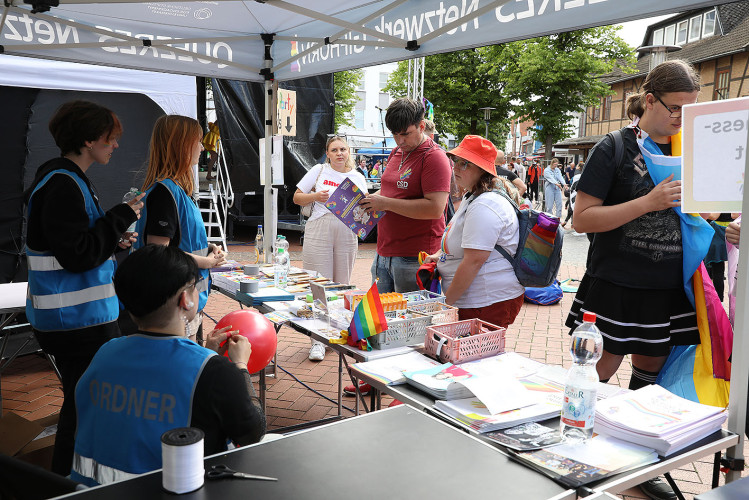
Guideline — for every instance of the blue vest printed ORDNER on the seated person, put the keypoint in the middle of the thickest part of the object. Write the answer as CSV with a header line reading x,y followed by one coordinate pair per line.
x,y
135,389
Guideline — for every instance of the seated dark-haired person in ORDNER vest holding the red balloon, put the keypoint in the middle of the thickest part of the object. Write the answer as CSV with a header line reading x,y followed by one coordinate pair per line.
x,y
140,386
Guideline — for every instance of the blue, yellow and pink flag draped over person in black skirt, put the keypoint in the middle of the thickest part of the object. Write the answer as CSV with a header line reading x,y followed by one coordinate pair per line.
x,y
701,372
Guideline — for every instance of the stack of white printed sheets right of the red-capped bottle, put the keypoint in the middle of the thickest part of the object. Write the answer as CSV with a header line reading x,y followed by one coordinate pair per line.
x,y
656,418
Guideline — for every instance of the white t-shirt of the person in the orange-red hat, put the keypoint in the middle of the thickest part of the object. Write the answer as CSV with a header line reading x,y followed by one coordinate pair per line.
x,y
480,224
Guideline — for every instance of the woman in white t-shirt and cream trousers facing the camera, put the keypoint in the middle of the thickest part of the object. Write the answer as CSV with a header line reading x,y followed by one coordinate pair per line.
x,y
329,245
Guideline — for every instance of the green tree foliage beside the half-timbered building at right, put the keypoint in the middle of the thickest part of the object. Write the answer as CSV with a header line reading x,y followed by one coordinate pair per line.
x,y
554,76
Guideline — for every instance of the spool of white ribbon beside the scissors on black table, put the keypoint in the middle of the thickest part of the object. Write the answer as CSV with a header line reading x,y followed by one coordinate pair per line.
x,y
182,459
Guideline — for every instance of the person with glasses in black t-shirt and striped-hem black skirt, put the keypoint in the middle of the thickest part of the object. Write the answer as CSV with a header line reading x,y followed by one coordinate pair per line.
x,y
633,280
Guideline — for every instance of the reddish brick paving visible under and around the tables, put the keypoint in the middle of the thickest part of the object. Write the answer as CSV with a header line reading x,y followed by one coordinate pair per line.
x,y
29,388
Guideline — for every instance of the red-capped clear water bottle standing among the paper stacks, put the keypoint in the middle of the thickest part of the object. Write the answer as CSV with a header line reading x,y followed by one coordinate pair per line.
x,y
578,410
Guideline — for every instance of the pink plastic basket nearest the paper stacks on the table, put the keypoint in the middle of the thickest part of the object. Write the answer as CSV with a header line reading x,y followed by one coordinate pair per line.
x,y
464,341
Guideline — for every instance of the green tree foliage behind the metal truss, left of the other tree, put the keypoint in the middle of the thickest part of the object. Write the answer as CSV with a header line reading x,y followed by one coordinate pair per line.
x,y
458,84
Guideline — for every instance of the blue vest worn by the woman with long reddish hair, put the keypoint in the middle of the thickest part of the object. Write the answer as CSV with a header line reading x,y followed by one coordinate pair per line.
x,y
193,238
